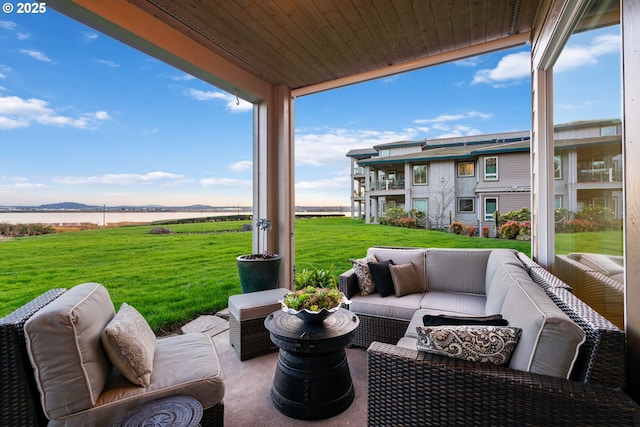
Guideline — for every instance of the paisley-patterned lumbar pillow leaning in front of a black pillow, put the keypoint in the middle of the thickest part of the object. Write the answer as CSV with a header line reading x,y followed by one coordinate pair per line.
x,y
493,344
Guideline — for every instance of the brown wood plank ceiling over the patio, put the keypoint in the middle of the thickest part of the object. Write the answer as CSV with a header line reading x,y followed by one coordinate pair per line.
x,y
298,43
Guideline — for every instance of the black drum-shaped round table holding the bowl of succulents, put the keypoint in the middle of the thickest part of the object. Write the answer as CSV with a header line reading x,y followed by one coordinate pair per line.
x,y
312,379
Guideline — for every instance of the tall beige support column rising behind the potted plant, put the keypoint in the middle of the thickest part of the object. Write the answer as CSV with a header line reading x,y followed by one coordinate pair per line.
x,y
273,178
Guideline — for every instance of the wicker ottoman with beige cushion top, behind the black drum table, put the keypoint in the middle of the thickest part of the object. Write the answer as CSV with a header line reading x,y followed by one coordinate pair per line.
x,y
247,312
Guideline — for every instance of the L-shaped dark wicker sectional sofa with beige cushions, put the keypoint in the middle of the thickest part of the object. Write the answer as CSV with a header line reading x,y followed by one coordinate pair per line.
x,y
412,387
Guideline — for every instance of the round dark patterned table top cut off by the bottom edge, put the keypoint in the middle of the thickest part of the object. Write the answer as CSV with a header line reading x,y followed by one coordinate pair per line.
x,y
174,411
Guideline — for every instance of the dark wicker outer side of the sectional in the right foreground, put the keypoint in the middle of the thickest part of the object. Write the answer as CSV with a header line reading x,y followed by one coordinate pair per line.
x,y
407,387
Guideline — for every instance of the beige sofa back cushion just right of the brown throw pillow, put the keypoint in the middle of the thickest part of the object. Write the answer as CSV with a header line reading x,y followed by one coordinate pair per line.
x,y
457,270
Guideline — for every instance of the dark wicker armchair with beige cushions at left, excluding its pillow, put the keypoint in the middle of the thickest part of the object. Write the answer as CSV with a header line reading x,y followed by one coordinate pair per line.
x,y
74,383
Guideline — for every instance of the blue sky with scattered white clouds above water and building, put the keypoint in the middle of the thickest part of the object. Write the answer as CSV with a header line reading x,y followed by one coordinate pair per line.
x,y
85,118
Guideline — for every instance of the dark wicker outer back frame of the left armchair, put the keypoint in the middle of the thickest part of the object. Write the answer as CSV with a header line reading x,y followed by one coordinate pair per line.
x,y
19,396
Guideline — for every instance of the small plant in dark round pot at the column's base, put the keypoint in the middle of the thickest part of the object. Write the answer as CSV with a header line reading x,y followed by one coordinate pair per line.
x,y
261,271
